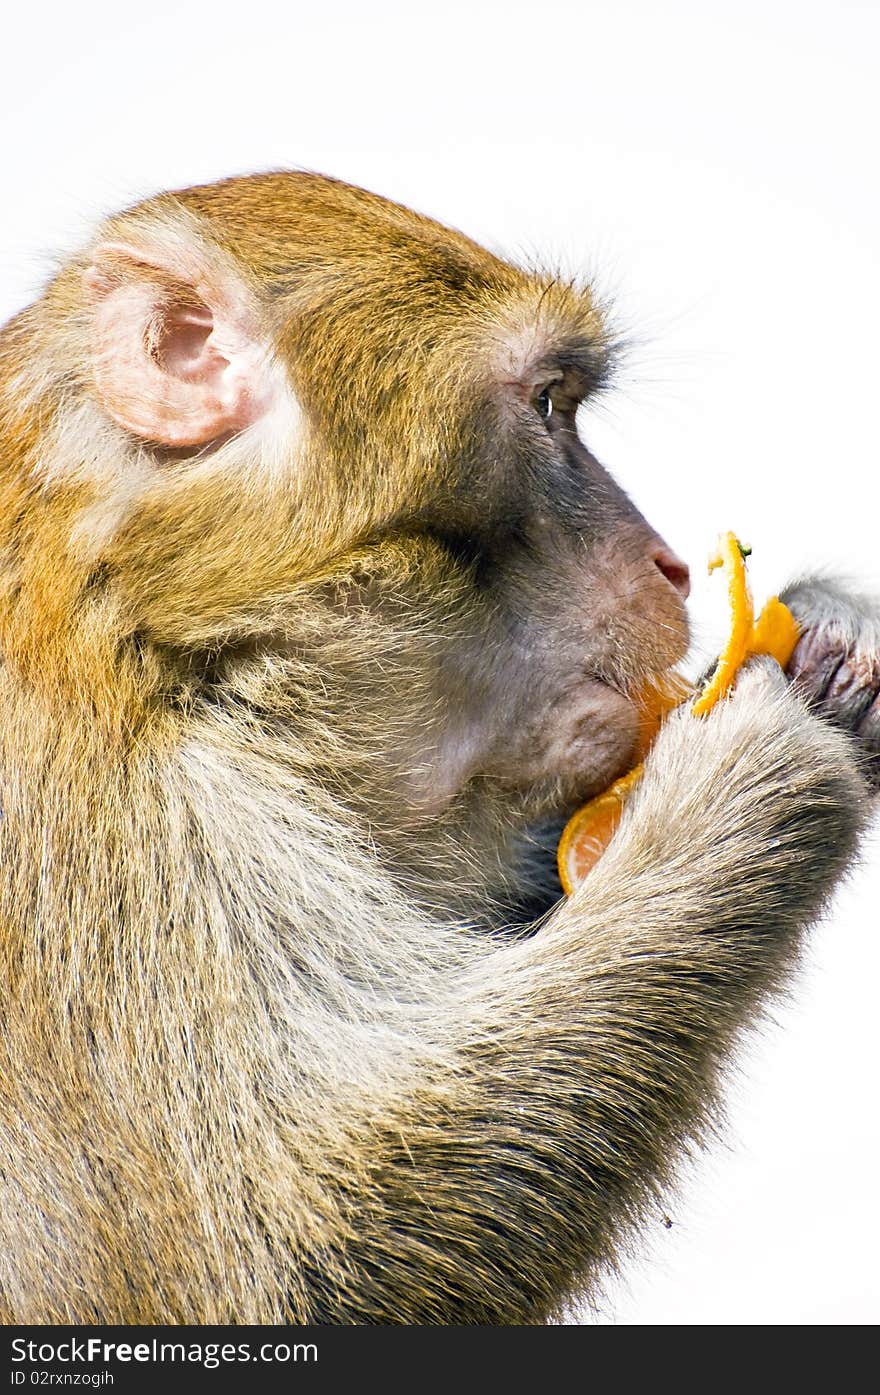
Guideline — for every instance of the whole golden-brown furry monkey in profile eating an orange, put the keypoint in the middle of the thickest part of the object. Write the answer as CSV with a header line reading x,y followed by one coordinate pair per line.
x,y
317,620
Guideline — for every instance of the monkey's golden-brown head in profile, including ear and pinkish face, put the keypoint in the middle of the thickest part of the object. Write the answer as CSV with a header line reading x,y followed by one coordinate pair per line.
x,y
281,428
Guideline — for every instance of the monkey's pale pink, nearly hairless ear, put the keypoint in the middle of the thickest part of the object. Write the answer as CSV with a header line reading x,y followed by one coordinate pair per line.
x,y
178,356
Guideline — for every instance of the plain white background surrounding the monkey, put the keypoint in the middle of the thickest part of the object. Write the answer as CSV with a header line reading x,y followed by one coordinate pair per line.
x,y
716,167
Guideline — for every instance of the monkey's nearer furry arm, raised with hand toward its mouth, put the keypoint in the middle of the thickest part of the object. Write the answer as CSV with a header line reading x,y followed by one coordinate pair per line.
x,y
588,1054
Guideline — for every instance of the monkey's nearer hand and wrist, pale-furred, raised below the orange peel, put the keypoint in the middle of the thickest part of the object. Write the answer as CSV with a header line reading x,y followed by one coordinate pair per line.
x,y
759,804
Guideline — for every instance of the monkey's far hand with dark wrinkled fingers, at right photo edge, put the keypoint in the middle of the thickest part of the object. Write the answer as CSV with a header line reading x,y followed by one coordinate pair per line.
x,y
837,663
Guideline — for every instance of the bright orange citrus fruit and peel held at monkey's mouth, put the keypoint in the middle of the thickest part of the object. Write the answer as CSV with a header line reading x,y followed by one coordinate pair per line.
x,y
773,634
